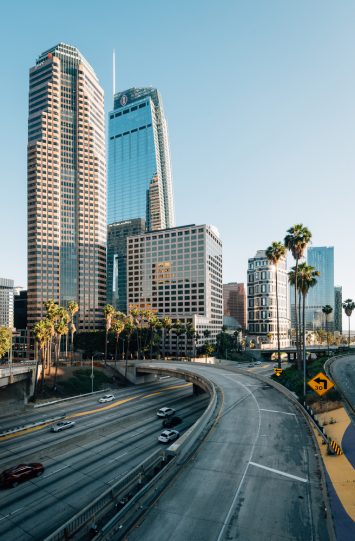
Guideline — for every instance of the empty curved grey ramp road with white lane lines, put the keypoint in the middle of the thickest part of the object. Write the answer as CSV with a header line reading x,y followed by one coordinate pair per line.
x,y
255,478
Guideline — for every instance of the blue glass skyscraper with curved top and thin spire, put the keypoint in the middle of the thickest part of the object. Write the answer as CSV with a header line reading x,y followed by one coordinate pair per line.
x,y
139,170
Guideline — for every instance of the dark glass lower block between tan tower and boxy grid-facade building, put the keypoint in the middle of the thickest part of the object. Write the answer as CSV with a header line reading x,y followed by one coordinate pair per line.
x,y
117,234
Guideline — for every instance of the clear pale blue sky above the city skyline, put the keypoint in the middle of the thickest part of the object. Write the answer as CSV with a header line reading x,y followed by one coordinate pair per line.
x,y
260,101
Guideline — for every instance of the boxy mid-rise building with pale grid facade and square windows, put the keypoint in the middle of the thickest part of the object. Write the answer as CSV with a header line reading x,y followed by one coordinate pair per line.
x,y
178,273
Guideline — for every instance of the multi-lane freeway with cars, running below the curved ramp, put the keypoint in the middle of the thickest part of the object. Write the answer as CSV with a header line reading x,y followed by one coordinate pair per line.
x,y
107,441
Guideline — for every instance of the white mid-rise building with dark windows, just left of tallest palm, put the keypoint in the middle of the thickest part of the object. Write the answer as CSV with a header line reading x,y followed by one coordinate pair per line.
x,y
262,321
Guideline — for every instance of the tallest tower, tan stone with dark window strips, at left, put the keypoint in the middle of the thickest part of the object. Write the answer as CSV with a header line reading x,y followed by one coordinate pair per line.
x,y
66,186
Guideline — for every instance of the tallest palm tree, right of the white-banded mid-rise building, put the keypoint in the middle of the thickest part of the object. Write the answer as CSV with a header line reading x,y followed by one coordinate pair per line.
x,y
296,240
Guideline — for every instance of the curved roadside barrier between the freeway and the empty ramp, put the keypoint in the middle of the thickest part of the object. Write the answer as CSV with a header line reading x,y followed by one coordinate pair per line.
x,y
142,485
